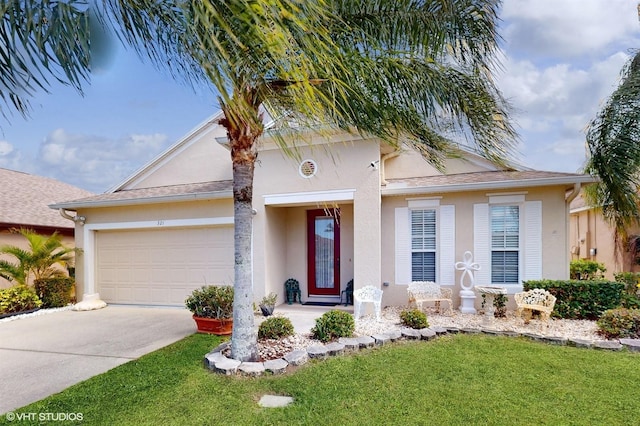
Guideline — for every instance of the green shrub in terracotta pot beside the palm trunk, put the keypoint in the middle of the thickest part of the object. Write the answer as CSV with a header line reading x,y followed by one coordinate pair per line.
x,y
212,309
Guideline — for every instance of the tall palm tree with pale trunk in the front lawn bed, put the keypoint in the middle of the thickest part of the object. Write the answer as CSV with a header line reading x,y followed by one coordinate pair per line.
x,y
402,70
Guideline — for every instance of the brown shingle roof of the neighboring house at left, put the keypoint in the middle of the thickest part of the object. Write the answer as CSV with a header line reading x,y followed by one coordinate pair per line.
x,y
25,199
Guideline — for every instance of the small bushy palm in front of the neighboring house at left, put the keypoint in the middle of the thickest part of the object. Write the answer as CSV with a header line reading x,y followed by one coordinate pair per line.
x,y
38,261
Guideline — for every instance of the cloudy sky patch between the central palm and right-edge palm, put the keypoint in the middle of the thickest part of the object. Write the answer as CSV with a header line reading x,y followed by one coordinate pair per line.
x,y
562,60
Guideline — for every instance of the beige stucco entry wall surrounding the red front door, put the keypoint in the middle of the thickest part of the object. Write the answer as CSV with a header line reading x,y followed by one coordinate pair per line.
x,y
280,231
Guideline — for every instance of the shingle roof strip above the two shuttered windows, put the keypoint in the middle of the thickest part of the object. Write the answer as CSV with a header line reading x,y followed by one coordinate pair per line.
x,y
498,179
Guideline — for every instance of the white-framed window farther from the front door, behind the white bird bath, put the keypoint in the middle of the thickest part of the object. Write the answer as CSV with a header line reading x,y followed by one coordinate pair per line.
x,y
505,244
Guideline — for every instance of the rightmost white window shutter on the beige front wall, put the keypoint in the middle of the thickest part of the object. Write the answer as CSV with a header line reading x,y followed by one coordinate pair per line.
x,y
532,268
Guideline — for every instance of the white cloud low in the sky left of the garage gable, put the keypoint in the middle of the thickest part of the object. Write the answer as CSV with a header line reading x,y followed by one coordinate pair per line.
x,y
94,162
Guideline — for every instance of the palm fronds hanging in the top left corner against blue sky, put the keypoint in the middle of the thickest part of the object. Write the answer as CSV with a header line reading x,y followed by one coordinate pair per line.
x,y
41,41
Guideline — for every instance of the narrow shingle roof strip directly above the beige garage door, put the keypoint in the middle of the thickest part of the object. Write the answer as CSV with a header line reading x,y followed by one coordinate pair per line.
x,y
159,194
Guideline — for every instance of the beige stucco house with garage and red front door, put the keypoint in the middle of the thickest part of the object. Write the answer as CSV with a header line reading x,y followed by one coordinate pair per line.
x,y
347,208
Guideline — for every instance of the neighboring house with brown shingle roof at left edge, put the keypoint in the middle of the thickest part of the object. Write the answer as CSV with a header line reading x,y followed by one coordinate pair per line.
x,y
25,199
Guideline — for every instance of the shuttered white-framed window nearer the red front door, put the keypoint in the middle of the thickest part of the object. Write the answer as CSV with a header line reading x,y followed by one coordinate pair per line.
x,y
423,245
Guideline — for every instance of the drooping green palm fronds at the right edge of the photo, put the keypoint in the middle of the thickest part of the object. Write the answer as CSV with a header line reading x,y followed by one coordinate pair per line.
x,y
613,142
